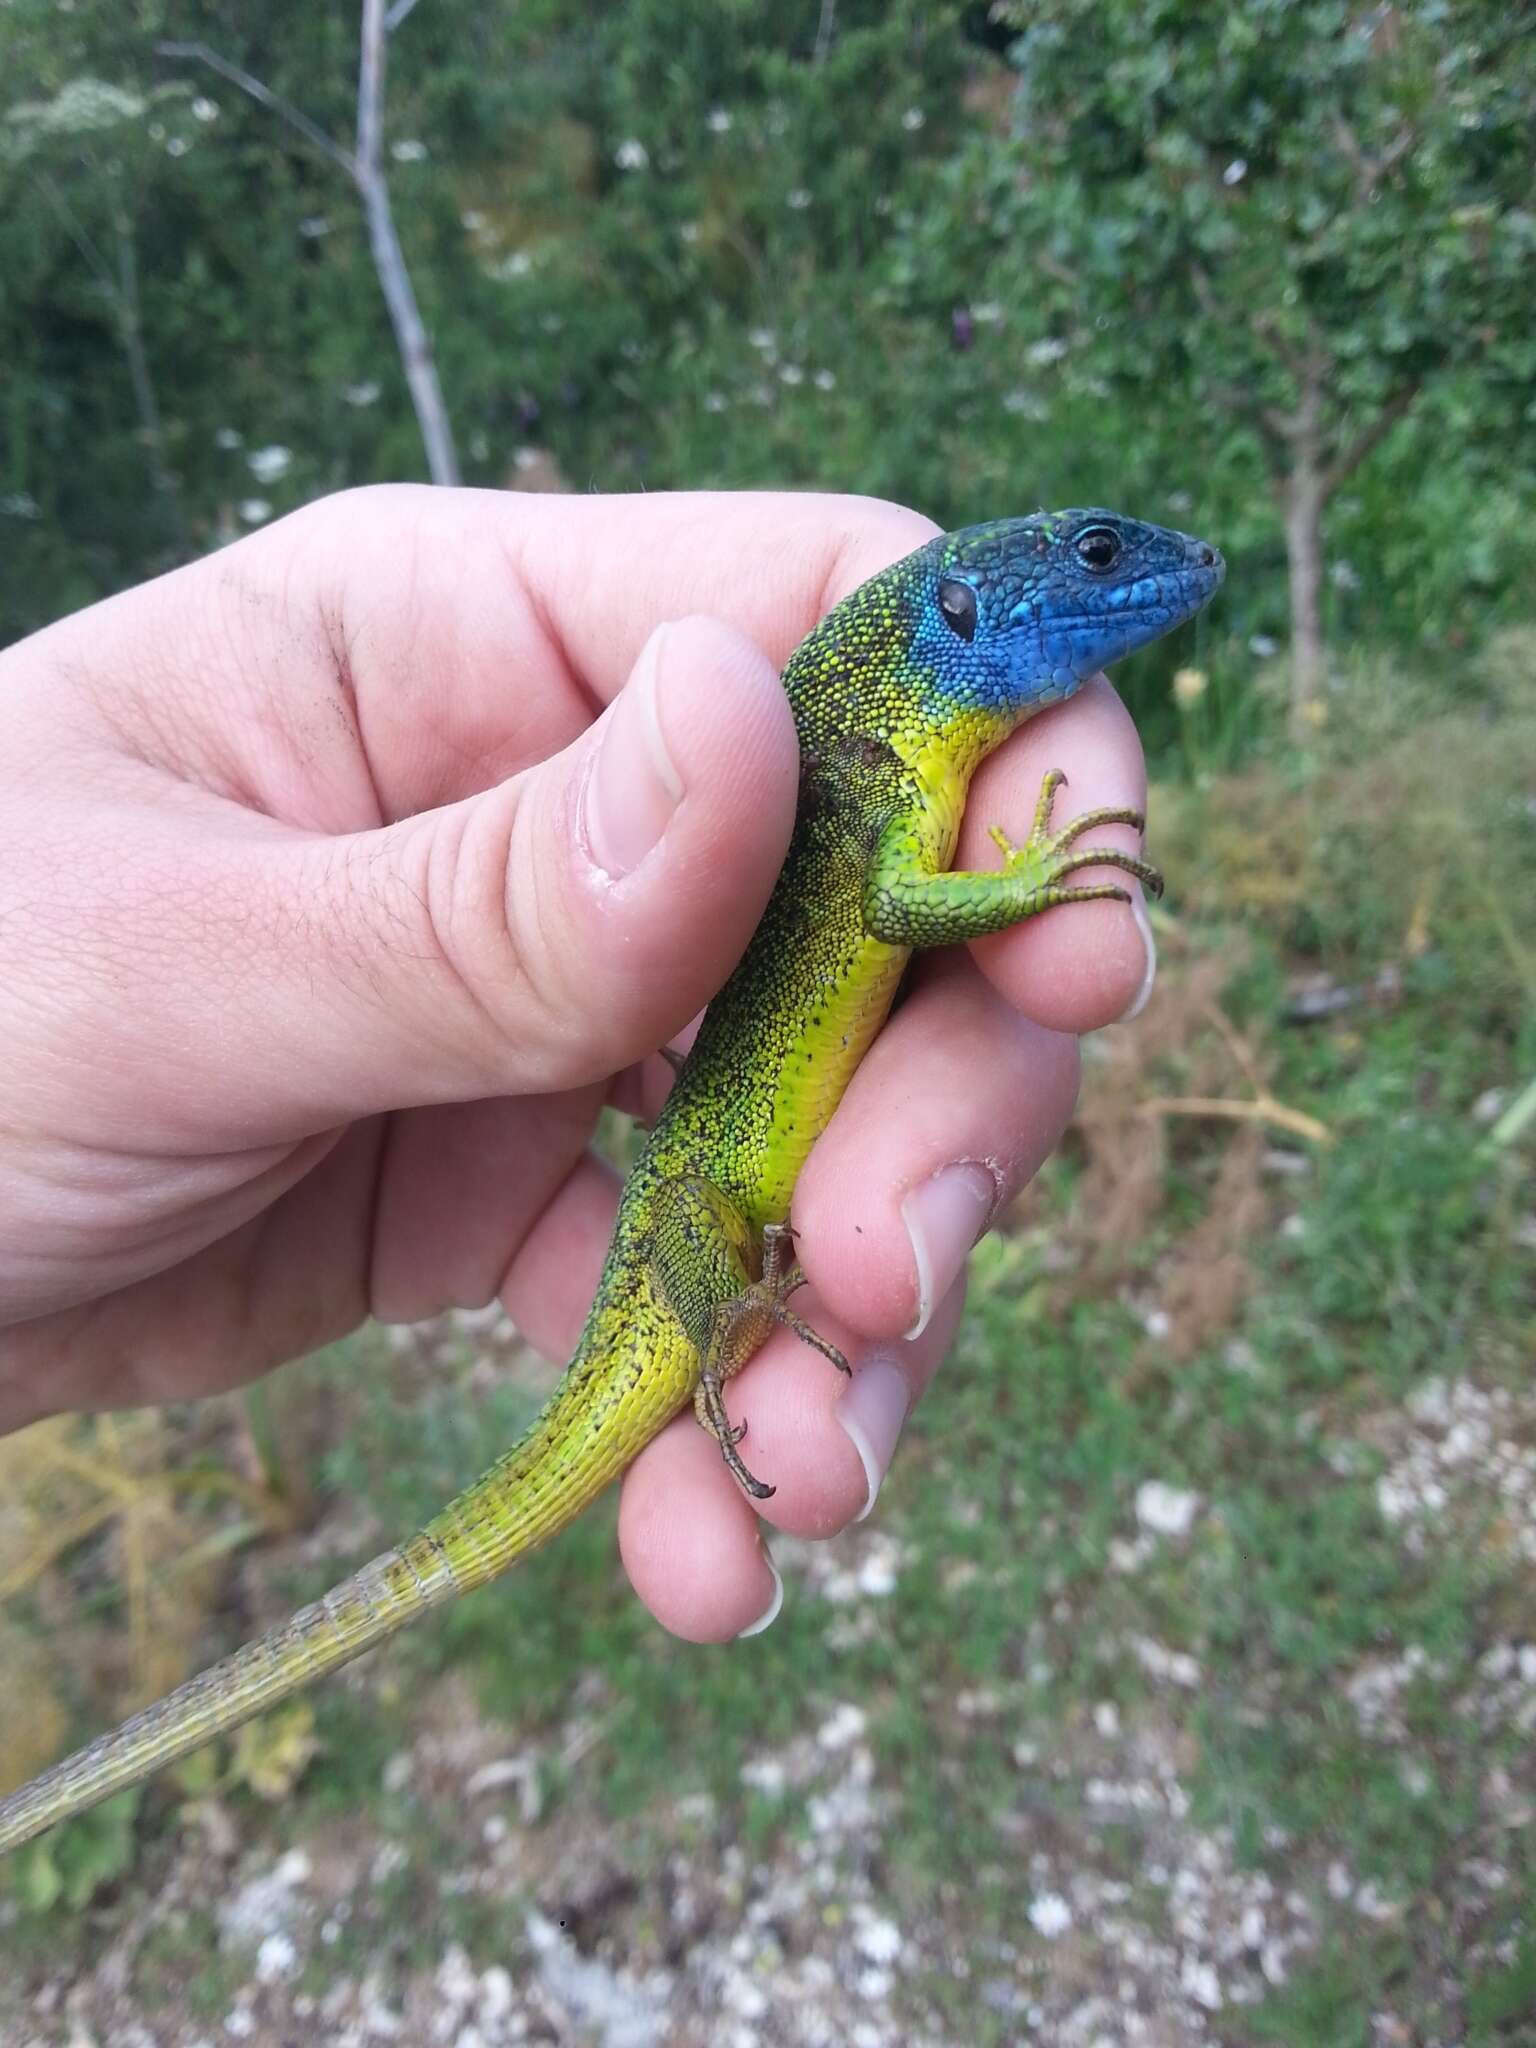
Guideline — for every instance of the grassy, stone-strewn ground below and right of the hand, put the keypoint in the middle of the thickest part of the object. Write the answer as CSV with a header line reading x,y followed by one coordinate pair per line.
x,y
1039,1646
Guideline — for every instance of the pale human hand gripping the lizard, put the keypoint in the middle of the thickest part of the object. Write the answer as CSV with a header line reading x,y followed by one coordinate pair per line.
x,y
347,873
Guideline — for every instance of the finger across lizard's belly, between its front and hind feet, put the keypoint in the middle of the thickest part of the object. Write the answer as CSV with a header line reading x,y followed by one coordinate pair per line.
x,y
955,1107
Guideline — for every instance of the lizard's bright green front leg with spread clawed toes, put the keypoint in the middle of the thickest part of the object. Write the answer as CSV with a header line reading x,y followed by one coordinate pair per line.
x,y
910,904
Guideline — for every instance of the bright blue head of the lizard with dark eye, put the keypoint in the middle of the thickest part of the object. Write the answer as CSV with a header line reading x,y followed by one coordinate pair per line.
x,y
1019,613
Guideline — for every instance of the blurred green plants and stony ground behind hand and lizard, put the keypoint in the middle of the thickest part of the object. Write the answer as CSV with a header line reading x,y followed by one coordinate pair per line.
x,y
1185,1687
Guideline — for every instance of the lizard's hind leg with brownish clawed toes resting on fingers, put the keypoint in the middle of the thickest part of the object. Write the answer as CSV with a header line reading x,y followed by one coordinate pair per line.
x,y
728,1293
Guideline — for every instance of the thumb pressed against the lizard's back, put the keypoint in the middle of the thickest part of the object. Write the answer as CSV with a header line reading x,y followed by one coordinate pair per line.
x,y
536,937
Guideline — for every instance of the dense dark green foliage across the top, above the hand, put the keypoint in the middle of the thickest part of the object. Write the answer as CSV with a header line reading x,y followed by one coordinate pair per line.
x,y
873,249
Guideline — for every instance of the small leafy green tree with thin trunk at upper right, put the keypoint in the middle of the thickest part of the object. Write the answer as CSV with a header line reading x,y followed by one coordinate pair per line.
x,y
1287,218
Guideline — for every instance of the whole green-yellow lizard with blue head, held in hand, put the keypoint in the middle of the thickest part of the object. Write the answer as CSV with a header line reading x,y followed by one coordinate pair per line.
x,y
898,695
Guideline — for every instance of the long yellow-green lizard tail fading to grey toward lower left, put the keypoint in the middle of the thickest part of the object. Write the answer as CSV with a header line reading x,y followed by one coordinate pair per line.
x,y
527,1496
